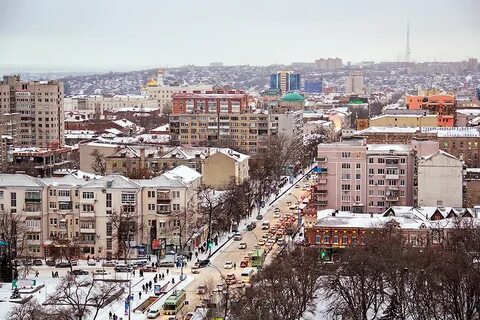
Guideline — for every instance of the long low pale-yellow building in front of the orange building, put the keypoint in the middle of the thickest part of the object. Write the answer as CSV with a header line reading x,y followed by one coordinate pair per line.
x,y
404,120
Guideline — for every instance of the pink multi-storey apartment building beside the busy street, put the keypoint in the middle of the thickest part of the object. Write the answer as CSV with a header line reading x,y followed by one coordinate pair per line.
x,y
365,178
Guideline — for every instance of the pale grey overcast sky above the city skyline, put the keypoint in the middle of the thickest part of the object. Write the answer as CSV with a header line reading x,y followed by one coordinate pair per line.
x,y
118,34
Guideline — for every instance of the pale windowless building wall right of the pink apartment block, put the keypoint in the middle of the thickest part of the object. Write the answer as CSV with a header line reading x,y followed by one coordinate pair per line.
x,y
440,180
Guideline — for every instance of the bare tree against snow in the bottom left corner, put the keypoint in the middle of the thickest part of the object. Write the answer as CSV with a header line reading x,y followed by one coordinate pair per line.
x,y
84,297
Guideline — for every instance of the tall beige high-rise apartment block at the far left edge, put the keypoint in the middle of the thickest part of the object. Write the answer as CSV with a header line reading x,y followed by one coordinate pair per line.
x,y
40,105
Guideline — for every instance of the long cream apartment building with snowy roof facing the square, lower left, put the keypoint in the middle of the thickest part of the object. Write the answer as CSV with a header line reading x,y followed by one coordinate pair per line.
x,y
80,210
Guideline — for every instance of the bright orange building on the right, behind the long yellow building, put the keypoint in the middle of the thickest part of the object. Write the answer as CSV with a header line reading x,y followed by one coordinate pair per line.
x,y
443,105
